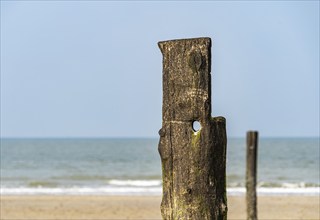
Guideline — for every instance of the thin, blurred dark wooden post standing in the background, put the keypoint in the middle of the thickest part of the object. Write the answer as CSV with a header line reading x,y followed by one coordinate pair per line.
x,y
251,174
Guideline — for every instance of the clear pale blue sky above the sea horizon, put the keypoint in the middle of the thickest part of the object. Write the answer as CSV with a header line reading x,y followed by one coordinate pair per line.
x,y
93,69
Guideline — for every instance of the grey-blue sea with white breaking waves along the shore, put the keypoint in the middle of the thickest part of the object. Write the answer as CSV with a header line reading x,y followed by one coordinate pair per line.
x,y
132,166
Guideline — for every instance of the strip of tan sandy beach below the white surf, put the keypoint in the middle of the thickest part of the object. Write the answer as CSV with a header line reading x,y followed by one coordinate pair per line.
x,y
145,207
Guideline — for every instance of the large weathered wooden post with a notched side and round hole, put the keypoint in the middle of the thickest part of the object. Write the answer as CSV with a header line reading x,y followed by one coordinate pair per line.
x,y
193,162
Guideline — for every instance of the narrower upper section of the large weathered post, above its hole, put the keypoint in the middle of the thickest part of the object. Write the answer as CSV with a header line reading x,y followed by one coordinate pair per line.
x,y
186,79
